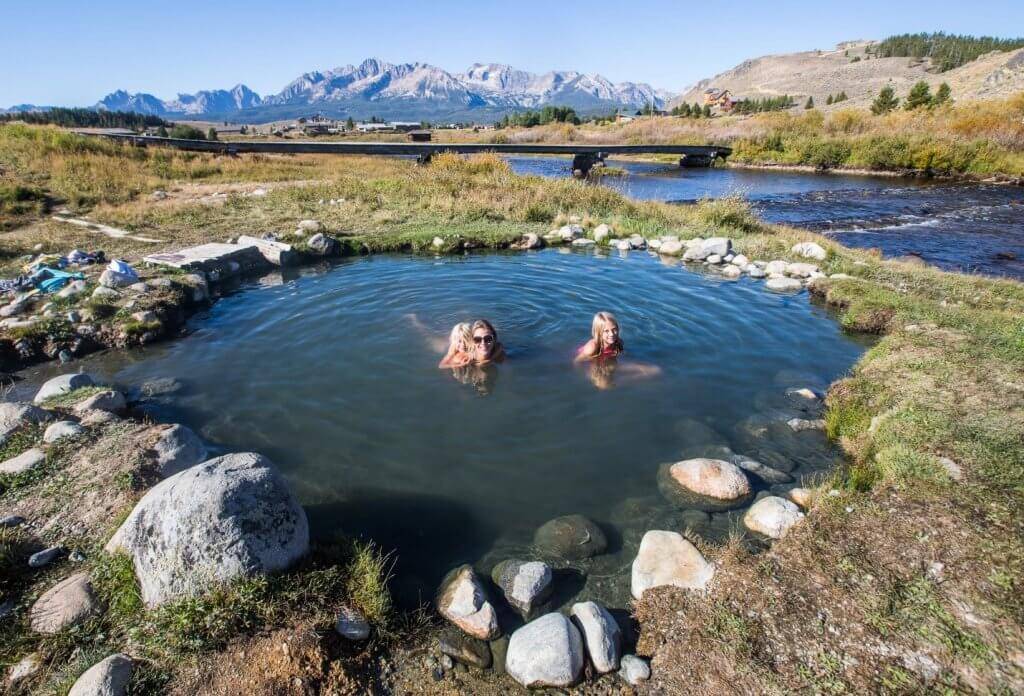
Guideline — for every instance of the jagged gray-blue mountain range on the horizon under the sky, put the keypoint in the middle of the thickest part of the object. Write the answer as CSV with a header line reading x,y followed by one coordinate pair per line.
x,y
411,92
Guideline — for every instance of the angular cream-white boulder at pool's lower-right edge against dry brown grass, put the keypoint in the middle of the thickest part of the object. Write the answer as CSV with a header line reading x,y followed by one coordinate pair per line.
x,y
666,558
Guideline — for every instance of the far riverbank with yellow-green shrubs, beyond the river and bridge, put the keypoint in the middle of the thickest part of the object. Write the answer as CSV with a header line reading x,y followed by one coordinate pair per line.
x,y
979,140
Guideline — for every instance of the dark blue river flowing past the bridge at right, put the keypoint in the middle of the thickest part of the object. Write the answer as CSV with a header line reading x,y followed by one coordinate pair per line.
x,y
974,229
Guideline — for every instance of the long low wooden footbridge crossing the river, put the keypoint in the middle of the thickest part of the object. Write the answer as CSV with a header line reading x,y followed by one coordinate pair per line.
x,y
584,157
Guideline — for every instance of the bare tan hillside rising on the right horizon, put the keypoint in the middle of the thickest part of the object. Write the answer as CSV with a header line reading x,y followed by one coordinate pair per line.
x,y
850,68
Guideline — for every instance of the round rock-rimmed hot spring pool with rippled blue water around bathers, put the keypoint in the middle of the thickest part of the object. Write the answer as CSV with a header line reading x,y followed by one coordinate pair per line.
x,y
326,373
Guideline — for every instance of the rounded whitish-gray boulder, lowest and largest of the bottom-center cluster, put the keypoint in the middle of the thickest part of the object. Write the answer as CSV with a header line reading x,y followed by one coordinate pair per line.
x,y
546,652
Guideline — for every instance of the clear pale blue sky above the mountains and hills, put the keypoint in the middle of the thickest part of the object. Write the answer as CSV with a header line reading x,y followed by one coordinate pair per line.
x,y
73,54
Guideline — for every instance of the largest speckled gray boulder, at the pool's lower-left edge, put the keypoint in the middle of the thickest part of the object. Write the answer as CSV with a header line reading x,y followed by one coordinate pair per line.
x,y
231,517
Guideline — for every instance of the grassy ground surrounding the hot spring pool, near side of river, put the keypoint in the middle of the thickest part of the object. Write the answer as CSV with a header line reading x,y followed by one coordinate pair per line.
x,y
906,580
